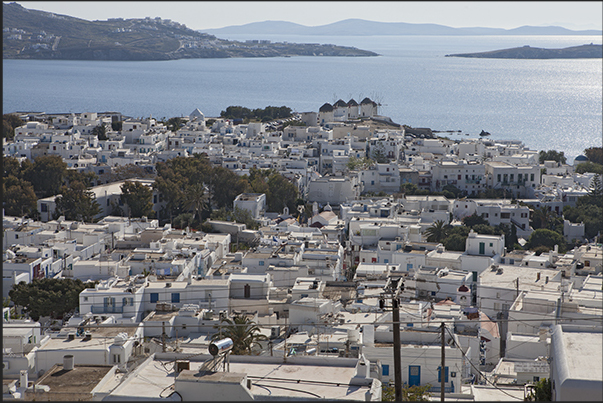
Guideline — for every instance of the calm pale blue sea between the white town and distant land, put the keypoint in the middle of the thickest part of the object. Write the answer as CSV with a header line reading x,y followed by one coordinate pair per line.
x,y
546,104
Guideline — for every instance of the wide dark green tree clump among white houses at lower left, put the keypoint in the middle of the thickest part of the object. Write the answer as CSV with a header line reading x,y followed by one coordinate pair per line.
x,y
48,296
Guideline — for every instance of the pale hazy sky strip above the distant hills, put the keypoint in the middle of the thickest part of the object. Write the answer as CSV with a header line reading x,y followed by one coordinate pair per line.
x,y
200,15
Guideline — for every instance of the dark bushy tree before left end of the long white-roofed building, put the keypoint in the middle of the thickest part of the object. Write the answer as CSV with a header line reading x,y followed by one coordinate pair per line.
x,y
77,203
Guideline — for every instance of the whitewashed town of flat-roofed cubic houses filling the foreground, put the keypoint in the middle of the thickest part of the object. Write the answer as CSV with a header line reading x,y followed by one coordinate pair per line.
x,y
350,294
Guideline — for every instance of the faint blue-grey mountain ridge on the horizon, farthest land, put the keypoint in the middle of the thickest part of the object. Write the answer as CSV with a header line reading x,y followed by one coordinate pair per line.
x,y
359,27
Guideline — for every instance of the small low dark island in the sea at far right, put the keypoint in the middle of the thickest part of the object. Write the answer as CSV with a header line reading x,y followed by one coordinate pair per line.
x,y
526,52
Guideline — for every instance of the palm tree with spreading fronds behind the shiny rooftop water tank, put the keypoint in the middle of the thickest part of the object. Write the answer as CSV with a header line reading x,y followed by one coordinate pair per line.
x,y
243,332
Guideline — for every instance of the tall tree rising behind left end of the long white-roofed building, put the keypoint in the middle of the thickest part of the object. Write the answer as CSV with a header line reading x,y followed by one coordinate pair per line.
x,y
46,175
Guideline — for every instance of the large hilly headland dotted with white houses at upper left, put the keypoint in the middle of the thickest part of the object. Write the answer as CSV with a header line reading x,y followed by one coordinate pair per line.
x,y
34,34
